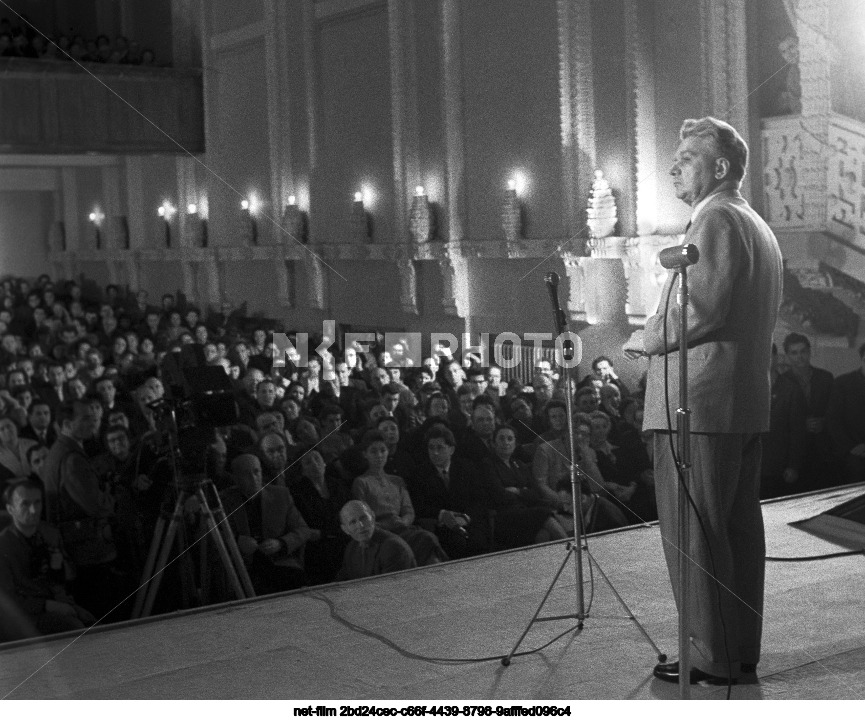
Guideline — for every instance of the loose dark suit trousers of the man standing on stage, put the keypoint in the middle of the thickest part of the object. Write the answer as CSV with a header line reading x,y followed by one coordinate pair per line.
x,y
725,487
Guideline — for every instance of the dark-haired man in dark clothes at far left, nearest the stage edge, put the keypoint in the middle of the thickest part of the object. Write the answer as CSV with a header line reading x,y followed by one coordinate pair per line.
x,y
33,595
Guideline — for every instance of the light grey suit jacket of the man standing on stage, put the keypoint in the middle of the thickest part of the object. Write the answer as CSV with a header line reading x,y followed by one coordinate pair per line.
x,y
735,292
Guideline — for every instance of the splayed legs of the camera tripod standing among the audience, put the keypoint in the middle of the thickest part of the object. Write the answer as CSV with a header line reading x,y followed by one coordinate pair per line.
x,y
170,532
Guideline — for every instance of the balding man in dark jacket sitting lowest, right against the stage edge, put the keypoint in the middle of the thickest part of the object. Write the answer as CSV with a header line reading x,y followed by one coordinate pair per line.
x,y
372,550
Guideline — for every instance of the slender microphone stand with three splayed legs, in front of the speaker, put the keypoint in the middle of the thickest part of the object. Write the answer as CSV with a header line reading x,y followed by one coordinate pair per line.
x,y
575,545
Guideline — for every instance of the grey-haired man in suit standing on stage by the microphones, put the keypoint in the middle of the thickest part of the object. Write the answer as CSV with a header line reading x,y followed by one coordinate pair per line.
x,y
735,291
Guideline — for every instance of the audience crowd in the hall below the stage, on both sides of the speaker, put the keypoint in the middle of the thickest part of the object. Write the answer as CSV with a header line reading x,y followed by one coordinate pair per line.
x,y
450,458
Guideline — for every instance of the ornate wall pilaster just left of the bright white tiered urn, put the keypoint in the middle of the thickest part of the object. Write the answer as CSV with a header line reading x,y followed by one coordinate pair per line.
x,y
577,108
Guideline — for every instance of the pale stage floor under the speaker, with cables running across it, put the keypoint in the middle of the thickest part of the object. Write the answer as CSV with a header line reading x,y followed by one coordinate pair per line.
x,y
411,635
